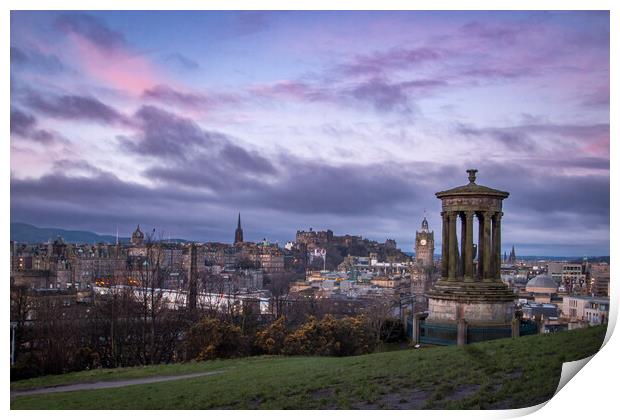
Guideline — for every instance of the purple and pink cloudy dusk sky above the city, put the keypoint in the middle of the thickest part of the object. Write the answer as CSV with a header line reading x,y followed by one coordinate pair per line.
x,y
348,121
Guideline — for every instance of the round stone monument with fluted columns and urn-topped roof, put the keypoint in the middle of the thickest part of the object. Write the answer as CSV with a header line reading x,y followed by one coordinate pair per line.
x,y
470,299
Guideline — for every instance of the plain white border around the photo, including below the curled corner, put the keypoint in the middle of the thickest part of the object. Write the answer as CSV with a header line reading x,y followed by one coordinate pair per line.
x,y
590,394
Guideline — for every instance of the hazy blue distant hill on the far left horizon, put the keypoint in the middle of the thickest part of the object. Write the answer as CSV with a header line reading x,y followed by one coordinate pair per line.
x,y
25,233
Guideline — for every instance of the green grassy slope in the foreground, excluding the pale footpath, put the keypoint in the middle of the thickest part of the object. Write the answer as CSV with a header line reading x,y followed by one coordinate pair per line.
x,y
508,373
